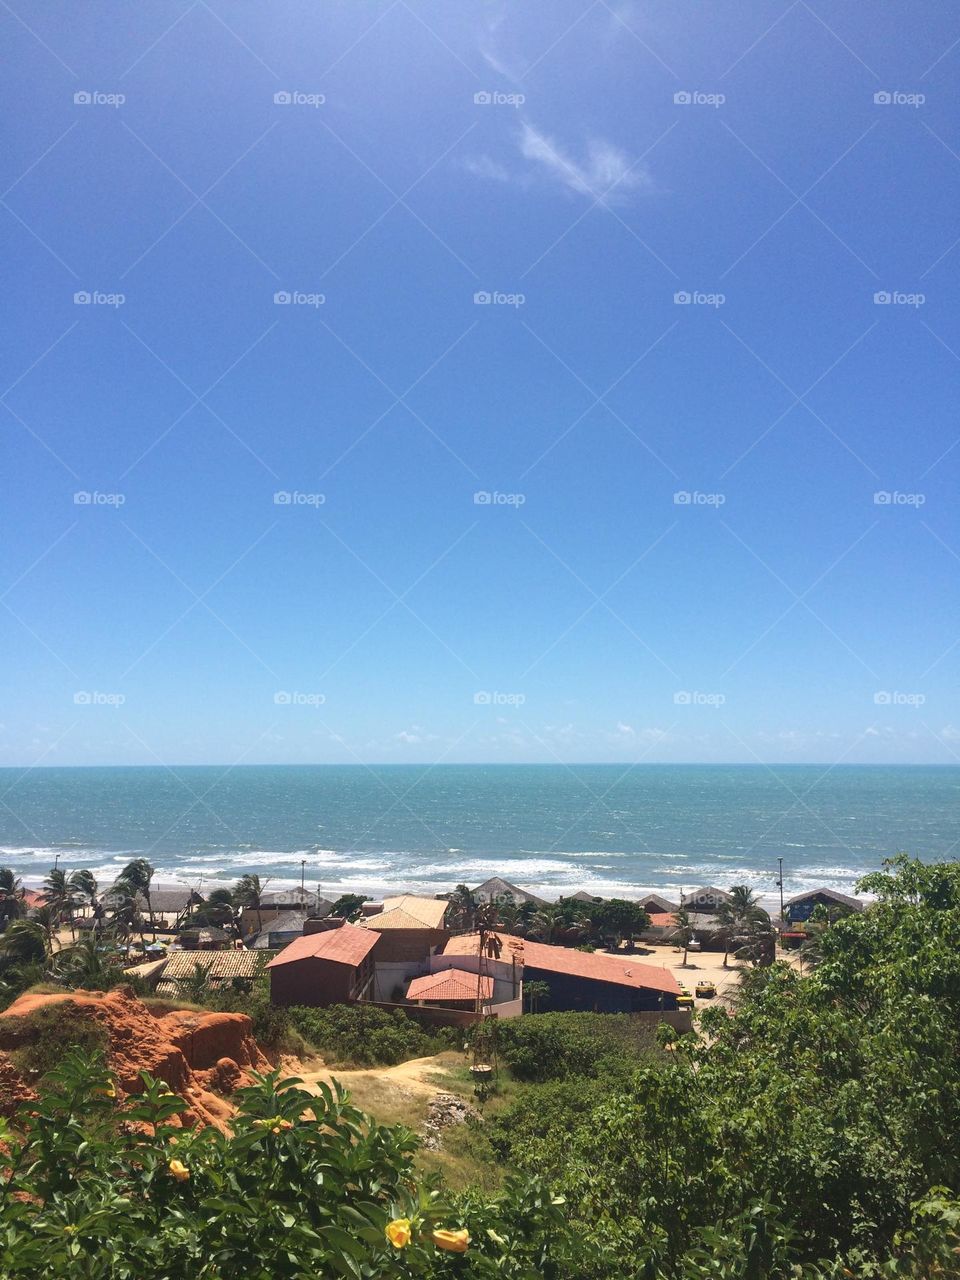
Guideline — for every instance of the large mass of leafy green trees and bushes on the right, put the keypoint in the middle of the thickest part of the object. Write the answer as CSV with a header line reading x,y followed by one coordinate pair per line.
x,y
822,1112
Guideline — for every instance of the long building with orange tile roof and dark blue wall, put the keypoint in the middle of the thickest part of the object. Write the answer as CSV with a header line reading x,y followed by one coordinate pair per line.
x,y
577,980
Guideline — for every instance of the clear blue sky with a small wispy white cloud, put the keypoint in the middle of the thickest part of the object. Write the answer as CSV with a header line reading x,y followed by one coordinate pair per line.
x,y
387,167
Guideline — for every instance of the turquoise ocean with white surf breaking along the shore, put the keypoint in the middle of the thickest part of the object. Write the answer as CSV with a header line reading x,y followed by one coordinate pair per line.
x,y
612,830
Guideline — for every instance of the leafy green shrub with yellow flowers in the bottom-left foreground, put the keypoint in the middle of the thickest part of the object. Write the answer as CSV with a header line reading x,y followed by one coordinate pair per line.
x,y
304,1187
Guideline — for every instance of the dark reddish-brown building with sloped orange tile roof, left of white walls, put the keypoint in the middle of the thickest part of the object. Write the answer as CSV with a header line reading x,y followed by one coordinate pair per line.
x,y
335,967
